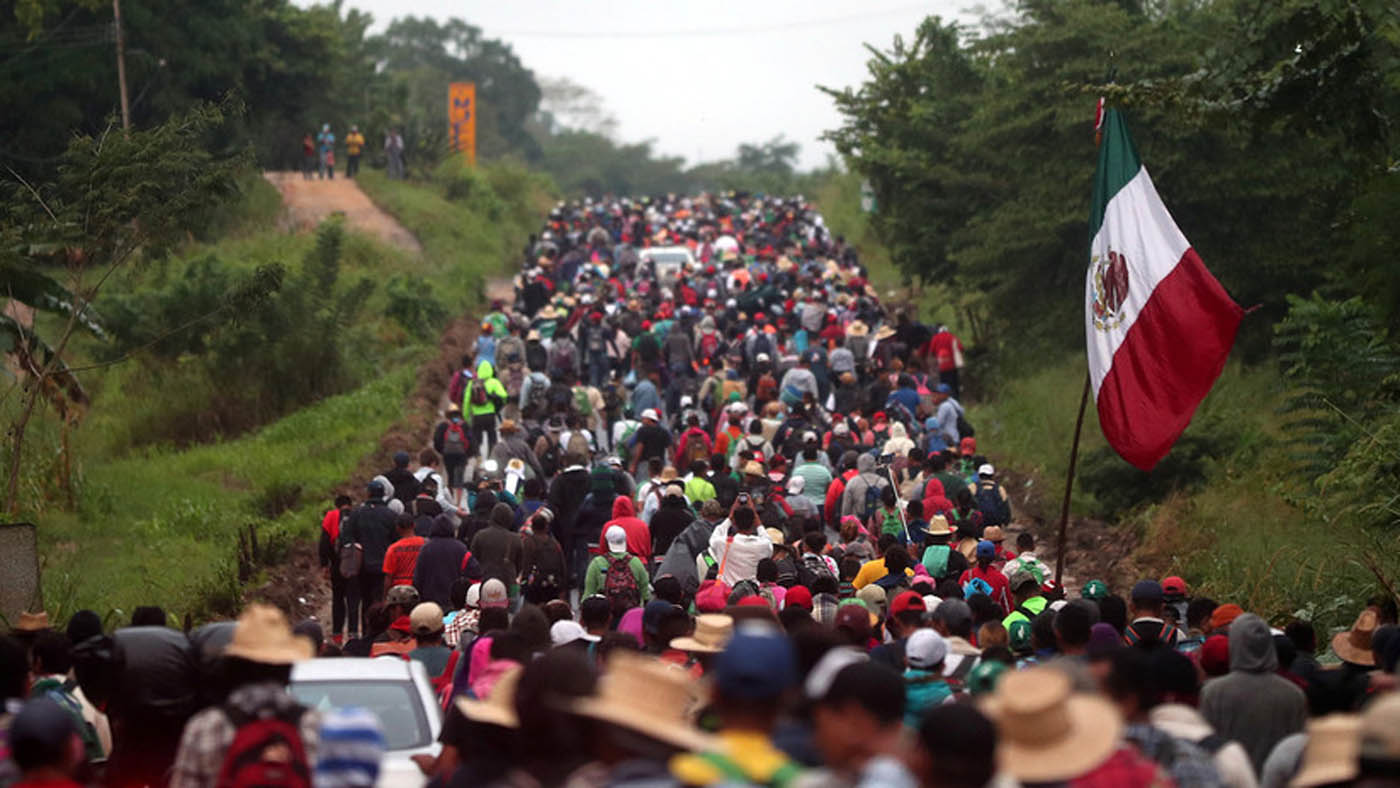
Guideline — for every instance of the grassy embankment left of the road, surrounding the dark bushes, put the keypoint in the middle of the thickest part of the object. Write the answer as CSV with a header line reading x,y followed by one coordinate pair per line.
x,y
159,523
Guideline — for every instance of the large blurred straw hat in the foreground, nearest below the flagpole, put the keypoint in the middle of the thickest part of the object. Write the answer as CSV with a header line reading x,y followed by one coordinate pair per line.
x,y
1048,733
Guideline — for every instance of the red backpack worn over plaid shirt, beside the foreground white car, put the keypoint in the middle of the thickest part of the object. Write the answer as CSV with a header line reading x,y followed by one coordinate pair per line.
x,y
267,752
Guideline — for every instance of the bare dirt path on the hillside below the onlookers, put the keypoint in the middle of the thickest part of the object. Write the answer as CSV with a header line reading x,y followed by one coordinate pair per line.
x,y
307,204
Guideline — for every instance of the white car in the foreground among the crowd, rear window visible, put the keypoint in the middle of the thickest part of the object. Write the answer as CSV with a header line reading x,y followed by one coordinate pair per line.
x,y
397,692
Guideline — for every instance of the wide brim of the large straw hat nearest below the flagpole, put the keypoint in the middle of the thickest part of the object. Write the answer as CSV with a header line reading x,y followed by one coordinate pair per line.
x,y
1093,736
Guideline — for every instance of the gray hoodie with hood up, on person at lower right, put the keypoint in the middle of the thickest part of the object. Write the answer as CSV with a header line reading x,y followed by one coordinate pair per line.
x,y
1252,705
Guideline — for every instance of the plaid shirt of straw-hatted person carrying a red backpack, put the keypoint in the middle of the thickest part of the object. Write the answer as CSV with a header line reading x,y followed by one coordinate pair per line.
x,y
211,733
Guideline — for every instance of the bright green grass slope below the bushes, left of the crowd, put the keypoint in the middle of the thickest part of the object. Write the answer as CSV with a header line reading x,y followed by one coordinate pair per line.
x,y
160,527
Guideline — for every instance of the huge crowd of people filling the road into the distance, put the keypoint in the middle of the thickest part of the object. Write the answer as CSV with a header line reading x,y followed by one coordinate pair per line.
x,y
703,512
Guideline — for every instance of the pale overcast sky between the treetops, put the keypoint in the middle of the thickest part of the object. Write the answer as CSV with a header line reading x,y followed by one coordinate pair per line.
x,y
698,78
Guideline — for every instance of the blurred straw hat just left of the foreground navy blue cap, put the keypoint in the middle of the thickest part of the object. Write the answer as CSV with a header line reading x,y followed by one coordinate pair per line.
x,y
649,698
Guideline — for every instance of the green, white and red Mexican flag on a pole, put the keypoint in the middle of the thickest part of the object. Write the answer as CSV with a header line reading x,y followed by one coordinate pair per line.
x,y
1158,325
